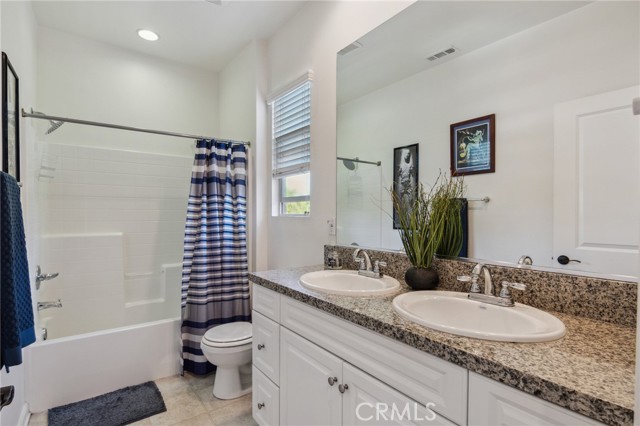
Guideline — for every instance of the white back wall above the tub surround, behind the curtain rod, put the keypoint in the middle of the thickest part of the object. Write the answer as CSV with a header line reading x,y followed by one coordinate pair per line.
x,y
85,79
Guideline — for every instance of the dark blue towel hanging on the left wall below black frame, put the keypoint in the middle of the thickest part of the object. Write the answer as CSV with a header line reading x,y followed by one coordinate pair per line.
x,y
16,326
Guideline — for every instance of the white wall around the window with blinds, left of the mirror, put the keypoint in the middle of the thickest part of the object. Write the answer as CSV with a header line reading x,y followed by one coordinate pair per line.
x,y
310,41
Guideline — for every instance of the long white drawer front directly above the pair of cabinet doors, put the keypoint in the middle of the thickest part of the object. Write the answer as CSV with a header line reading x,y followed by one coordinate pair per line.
x,y
422,377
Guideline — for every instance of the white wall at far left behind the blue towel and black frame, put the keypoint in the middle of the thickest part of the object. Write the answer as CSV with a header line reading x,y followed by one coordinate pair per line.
x,y
18,41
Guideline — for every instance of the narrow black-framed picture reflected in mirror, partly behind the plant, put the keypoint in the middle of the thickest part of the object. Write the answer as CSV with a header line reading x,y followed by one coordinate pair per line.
x,y
405,176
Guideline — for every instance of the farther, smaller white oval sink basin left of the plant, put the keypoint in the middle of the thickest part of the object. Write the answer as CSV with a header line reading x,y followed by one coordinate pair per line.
x,y
349,283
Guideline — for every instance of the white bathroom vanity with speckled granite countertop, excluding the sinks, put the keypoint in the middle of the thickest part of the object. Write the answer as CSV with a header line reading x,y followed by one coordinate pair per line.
x,y
333,360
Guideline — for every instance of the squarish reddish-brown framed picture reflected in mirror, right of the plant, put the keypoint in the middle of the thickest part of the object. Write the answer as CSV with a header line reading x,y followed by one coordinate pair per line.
x,y
473,146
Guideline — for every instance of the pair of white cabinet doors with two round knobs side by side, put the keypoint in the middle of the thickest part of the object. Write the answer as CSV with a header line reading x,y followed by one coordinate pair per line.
x,y
318,388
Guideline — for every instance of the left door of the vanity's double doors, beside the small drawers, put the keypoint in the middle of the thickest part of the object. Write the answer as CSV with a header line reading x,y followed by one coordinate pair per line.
x,y
306,396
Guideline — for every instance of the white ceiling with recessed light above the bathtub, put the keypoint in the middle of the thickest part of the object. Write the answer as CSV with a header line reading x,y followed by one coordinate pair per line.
x,y
193,32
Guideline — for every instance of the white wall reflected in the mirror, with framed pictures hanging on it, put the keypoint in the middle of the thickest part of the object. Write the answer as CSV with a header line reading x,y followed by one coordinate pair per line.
x,y
520,79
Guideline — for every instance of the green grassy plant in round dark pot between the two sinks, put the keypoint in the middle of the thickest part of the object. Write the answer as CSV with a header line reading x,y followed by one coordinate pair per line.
x,y
429,223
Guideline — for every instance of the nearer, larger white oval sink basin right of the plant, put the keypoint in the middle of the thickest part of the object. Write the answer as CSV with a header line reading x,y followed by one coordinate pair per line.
x,y
454,313
